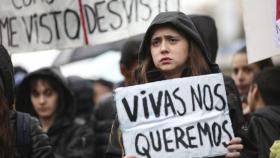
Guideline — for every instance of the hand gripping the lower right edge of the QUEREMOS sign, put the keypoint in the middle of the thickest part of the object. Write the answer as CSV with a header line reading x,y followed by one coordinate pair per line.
x,y
234,148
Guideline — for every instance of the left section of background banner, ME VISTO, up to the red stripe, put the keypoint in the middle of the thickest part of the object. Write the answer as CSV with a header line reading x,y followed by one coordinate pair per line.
x,y
28,25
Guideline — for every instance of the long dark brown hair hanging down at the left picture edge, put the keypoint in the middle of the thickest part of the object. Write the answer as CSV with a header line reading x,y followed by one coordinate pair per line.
x,y
6,139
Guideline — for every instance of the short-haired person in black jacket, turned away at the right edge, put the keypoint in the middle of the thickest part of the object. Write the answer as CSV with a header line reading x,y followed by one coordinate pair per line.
x,y
264,103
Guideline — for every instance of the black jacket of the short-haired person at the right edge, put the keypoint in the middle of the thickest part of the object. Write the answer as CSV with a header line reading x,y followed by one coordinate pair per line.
x,y
264,129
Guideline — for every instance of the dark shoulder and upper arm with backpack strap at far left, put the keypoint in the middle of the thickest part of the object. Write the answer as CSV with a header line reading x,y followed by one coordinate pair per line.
x,y
30,138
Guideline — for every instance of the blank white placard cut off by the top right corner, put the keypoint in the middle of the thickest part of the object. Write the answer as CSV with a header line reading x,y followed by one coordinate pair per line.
x,y
261,23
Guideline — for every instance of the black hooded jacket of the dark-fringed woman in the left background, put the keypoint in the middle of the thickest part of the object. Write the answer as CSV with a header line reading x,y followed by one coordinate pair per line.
x,y
68,139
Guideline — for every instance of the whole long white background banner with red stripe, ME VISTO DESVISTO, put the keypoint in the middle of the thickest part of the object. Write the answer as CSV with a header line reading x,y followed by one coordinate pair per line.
x,y
29,25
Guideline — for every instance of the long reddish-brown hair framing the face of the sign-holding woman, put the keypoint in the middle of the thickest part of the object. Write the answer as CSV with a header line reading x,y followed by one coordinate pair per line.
x,y
196,62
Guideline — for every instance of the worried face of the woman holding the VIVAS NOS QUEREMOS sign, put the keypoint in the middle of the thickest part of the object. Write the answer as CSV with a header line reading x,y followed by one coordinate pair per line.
x,y
170,51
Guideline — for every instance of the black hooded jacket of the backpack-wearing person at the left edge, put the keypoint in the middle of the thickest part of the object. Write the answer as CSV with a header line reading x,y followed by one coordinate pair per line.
x,y
40,144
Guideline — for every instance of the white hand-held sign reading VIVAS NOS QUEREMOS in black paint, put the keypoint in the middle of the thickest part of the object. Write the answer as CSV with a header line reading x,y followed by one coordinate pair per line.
x,y
186,117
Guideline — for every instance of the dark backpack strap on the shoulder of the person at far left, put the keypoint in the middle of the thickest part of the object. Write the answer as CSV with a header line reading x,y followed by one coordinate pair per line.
x,y
23,134
